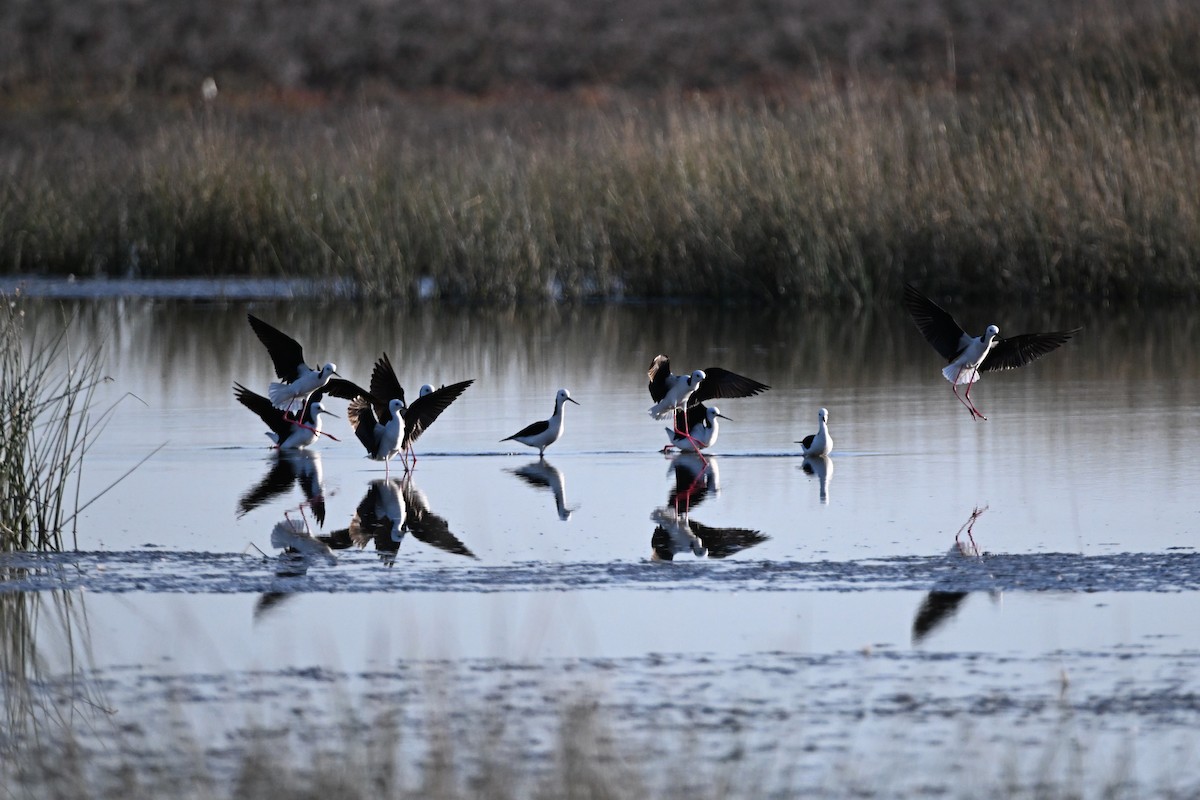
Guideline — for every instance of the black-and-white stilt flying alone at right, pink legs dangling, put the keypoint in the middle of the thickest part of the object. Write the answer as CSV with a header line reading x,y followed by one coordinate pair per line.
x,y
969,356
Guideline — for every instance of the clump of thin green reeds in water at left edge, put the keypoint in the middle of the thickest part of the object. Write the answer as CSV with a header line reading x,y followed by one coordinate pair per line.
x,y
46,429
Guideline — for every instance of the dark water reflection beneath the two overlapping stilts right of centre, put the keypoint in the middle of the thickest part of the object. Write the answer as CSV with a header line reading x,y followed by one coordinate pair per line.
x,y
676,532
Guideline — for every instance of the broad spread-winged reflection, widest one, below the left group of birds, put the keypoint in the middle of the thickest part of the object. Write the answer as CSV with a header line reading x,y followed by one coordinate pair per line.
x,y
392,509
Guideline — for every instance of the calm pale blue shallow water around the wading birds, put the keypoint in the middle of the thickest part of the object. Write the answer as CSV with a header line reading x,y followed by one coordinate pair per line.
x,y
811,603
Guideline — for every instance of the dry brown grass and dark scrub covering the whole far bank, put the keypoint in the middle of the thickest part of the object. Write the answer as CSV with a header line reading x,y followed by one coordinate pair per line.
x,y
500,152
